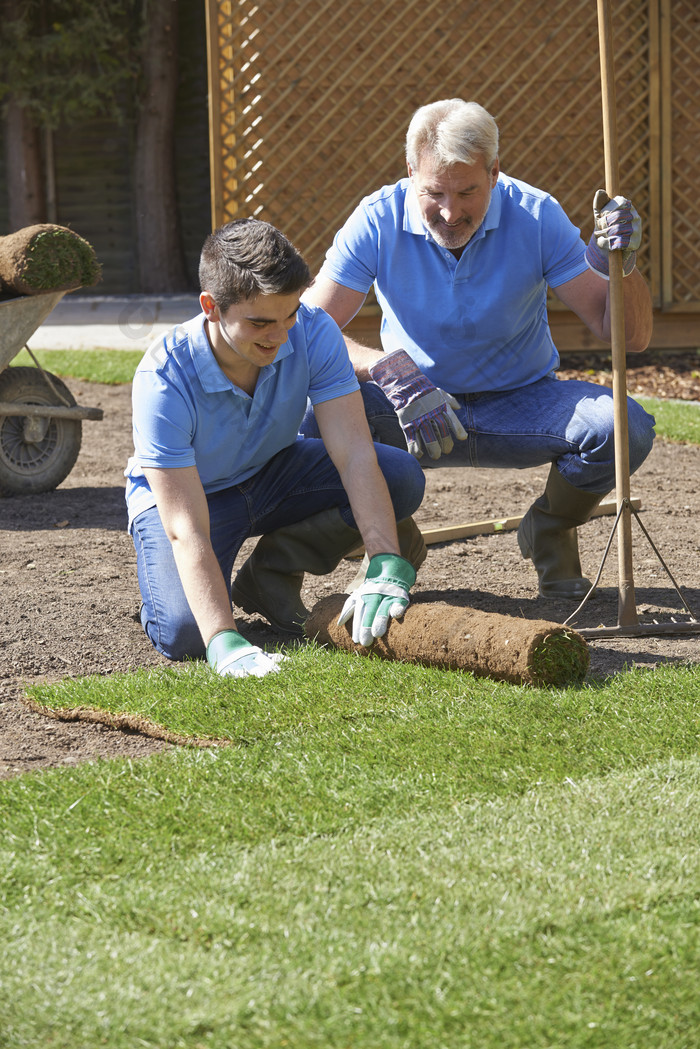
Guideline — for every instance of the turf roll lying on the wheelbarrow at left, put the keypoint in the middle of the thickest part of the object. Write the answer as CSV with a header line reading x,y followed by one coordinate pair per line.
x,y
47,258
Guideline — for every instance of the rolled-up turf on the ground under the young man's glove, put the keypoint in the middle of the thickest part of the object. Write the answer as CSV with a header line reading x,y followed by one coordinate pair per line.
x,y
486,645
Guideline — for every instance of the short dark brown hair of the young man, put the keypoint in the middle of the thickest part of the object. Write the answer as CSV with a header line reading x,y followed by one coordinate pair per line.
x,y
248,258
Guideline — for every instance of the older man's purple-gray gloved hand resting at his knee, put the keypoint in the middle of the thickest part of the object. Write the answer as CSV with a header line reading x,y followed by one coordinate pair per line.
x,y
426,412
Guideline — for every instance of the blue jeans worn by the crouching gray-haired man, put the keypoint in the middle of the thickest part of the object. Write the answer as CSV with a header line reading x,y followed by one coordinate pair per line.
x,y
563,421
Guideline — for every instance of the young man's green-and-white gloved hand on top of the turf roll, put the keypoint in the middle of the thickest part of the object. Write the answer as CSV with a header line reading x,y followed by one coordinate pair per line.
x,y
384,595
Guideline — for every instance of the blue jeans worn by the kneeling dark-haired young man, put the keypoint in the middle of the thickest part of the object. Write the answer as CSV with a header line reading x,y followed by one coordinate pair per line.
x,y
296,484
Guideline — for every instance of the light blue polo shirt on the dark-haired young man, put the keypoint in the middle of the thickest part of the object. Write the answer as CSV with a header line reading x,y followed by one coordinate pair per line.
x,y
186,413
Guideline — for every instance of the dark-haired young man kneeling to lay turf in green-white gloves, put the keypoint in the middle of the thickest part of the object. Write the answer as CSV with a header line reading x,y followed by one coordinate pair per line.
x,y
218,404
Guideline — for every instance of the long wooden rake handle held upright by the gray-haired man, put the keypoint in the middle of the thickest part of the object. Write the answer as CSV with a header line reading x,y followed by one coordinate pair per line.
x,y
627,604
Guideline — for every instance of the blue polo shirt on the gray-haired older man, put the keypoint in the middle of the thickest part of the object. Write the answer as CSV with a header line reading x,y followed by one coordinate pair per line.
x,y
474,325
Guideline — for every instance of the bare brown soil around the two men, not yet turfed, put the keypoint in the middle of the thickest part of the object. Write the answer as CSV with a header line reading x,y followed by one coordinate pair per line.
x,y
71,597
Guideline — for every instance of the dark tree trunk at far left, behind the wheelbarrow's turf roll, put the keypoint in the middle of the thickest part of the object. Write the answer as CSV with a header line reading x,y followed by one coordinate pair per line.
x,y
26,183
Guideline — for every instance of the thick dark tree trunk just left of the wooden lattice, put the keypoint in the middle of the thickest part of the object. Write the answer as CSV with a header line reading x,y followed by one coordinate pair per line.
x,y
159,242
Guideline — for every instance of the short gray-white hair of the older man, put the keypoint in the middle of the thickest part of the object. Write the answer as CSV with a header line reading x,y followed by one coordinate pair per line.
x,y
453,132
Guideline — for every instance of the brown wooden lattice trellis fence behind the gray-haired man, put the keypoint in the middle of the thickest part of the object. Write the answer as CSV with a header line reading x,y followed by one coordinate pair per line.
x,y
311,99
